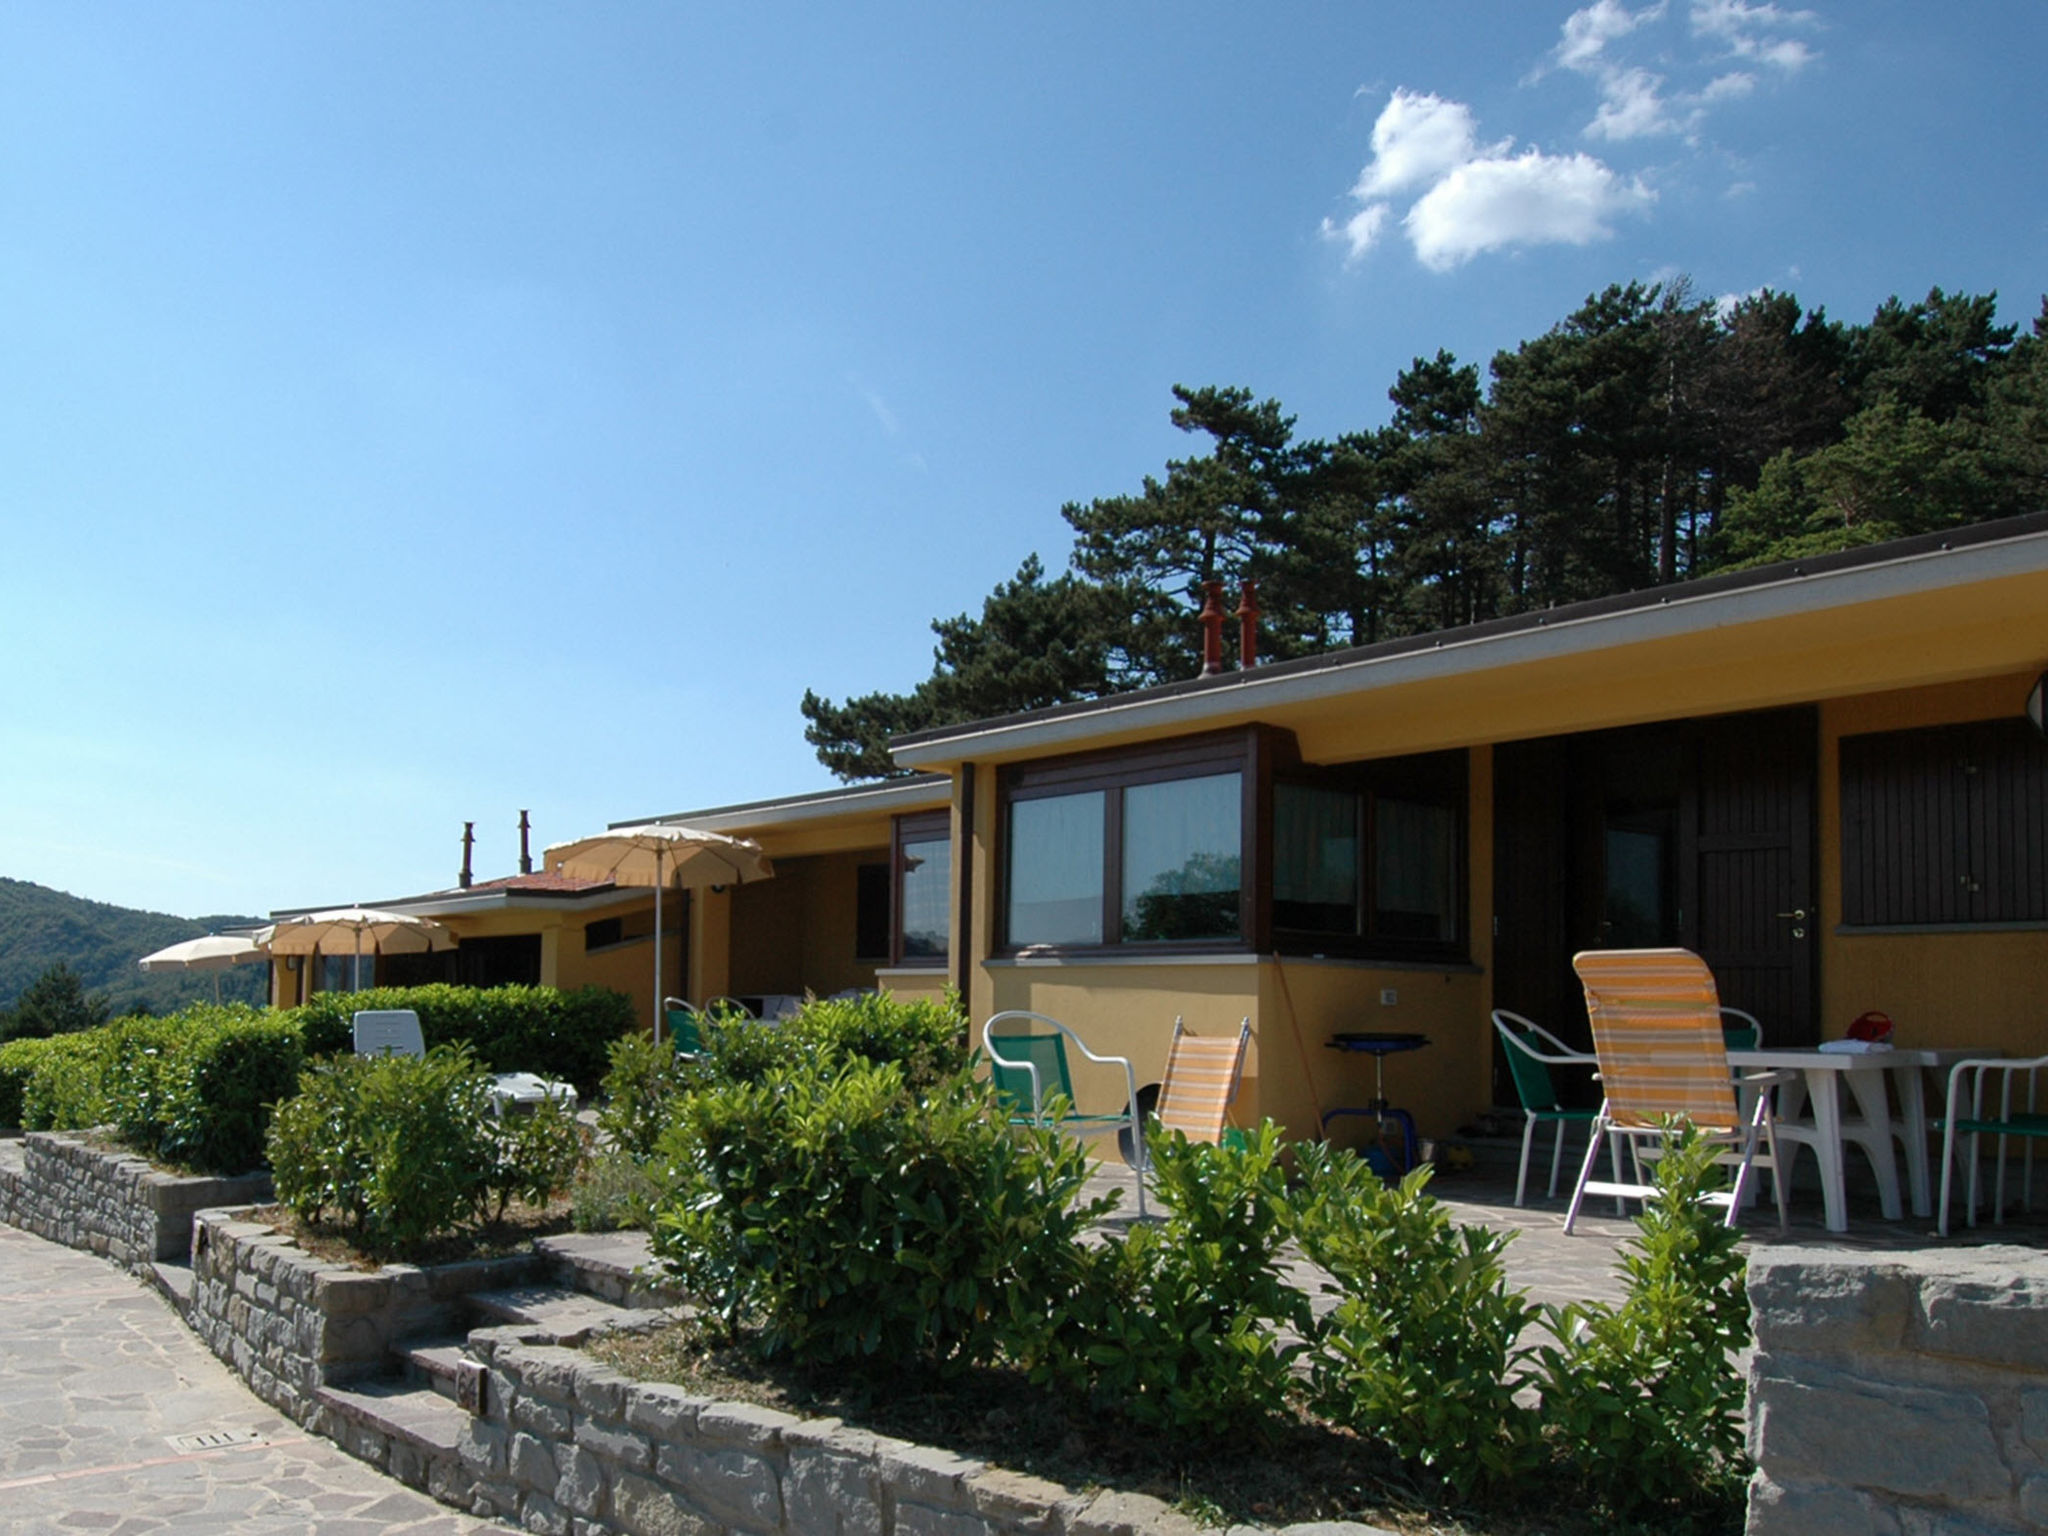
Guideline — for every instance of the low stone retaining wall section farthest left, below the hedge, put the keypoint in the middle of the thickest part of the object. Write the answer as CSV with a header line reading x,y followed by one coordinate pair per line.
x,y
112,1203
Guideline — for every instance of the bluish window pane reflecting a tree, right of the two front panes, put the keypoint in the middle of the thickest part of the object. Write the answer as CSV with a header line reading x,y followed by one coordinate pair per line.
x,y
1183,855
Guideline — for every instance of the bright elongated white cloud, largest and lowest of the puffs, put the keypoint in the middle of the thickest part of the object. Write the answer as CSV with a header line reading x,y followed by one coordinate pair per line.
x,y
1527,200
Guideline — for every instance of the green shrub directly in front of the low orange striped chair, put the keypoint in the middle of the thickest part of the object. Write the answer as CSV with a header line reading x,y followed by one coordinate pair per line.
x,y
1177,1326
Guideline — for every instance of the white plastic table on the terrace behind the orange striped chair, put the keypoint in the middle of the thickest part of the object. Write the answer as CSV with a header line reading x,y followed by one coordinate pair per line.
x,y
1824,1074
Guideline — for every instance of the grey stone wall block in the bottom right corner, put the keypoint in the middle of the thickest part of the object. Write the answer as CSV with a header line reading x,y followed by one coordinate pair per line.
x,y
1900,1394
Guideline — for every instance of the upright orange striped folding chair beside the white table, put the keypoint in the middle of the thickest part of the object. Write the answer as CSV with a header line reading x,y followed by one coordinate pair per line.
x,y
1662,1056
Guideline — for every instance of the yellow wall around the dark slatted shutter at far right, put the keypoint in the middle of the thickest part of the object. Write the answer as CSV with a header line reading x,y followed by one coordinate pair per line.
x,y
1940,988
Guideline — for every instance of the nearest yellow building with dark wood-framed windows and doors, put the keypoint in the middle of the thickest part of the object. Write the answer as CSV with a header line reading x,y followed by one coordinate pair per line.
x,y
1820,777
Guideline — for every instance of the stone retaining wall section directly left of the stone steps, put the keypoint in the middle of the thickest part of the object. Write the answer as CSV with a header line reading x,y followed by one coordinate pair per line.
x,y
292,1324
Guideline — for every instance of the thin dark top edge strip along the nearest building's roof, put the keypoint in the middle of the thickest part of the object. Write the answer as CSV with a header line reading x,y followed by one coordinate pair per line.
x,y
1707,587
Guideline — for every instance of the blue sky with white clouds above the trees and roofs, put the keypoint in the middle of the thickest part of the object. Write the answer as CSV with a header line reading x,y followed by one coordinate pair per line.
x,y
411,415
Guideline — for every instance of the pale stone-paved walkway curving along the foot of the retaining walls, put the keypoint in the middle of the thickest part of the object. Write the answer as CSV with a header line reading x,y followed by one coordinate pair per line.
x,y
97,1385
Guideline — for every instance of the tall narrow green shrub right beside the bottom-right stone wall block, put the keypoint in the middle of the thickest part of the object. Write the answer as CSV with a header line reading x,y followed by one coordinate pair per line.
x,y
1646,1400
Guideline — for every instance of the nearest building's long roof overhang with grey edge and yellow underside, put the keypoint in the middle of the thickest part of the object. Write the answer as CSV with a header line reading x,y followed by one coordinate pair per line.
x,y
1936,609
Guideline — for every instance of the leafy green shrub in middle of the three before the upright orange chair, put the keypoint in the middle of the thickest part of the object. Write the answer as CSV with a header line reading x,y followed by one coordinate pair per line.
x,y
1422,1349
